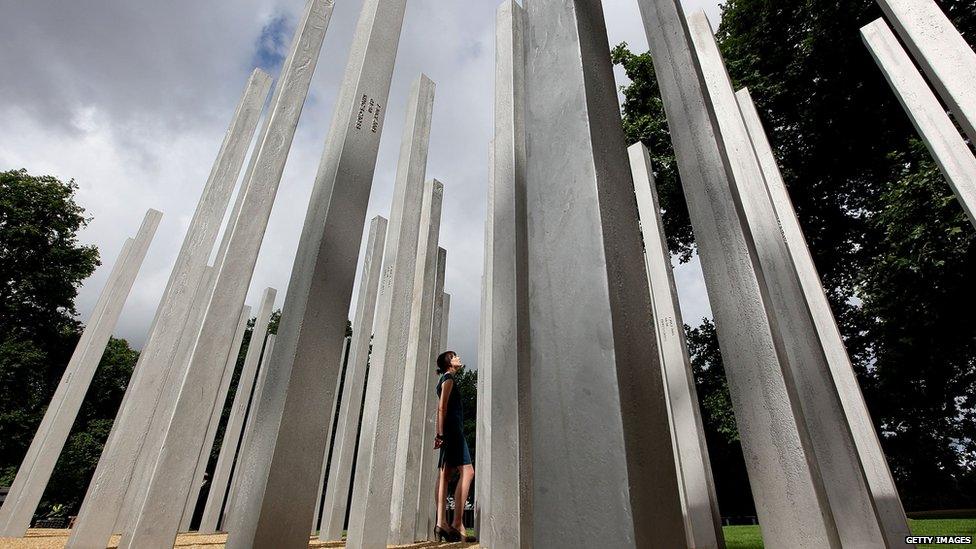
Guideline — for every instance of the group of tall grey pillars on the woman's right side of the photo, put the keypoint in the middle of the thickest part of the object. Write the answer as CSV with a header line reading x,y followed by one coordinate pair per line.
x,y
816,468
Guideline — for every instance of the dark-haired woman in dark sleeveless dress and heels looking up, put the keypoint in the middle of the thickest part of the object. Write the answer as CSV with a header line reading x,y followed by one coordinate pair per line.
x,y
454,449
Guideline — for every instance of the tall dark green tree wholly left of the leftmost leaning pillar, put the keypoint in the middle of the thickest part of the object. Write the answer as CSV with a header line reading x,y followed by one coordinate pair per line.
x,y
42,265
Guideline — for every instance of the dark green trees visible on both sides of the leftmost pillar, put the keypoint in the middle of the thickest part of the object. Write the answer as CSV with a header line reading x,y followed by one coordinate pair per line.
x,y
42,265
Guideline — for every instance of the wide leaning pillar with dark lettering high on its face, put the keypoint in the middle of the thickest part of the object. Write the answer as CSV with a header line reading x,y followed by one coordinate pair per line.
x,y
281,468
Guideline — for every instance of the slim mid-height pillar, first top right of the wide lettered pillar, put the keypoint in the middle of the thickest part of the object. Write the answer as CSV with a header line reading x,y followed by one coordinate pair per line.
x,y
350,408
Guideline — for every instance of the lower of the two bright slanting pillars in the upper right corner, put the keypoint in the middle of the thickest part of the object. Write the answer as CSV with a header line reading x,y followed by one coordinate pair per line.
x,y
950,151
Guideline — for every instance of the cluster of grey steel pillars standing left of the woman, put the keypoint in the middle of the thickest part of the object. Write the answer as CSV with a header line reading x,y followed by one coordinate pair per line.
x,y
275,454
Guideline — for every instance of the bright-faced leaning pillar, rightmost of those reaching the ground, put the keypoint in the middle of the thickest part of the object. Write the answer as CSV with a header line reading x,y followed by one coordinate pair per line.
x,y
894,524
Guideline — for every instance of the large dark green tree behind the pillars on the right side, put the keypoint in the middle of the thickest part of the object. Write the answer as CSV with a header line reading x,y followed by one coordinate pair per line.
x,y
894,251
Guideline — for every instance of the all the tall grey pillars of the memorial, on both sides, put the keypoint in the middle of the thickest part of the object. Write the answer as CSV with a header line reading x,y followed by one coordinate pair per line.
x,y
587,405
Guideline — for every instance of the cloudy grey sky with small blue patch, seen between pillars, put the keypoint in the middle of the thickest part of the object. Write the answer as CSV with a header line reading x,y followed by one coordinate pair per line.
x,y
131,100
